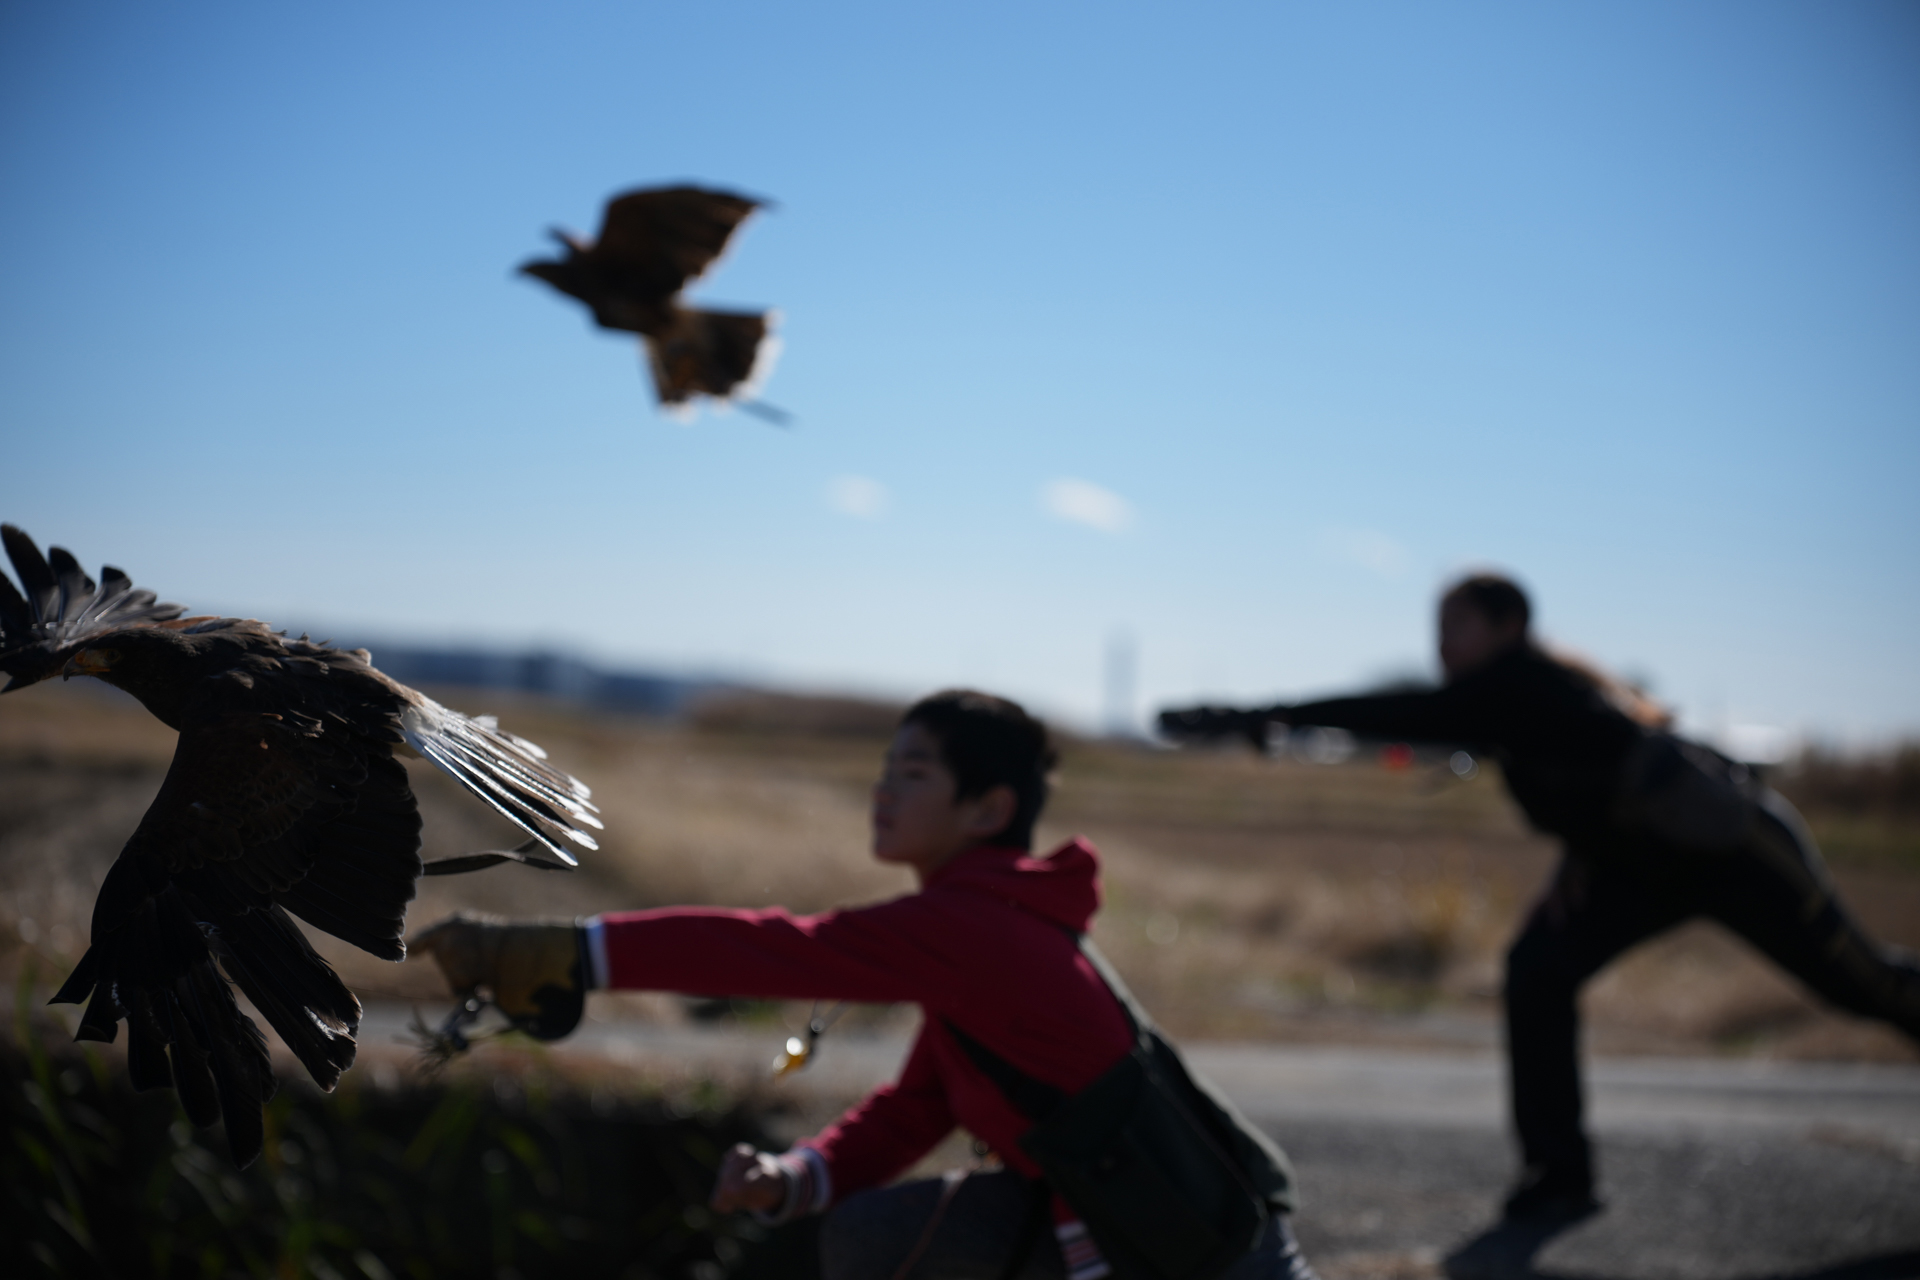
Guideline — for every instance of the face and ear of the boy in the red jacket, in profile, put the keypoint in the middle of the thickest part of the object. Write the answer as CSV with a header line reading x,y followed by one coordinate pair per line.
x,y
917,818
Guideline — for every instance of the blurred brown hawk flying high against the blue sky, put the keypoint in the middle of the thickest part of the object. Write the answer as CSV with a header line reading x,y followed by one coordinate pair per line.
x,y
654,243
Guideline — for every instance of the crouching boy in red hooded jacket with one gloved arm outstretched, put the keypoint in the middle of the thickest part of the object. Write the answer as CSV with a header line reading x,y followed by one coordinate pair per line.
x,y
988,945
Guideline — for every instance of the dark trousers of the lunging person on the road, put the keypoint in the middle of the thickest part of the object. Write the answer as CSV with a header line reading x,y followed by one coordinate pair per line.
x,y
1775,893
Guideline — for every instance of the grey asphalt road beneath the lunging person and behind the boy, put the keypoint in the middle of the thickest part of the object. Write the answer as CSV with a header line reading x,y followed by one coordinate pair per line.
x,y
1712,1170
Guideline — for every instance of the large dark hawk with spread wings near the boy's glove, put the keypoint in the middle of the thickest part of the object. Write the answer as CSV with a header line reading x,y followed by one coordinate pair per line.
x,y
285,795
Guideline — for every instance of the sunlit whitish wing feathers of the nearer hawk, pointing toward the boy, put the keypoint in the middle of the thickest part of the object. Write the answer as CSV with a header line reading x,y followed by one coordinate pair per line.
x,y
504,770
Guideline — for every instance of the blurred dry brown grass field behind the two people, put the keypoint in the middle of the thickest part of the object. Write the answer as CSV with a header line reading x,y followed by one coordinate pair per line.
x,y
1247,899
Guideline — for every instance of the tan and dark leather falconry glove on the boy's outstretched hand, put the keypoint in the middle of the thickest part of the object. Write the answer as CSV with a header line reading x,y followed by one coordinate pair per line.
x,y
535,972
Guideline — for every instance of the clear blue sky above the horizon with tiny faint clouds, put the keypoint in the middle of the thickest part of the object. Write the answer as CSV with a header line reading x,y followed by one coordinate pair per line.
x,y
1234,329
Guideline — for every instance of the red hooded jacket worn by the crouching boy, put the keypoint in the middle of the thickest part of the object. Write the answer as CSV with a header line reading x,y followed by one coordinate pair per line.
x,y
988,945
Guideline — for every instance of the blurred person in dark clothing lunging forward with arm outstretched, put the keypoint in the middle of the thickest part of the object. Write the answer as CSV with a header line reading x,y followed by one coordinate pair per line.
x,y
1656,832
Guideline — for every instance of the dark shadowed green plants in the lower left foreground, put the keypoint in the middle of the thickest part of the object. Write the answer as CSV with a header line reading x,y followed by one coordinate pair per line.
x,y
471,1177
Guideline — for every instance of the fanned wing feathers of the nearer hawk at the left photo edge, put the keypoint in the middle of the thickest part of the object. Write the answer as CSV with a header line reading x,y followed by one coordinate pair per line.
x,y
59,607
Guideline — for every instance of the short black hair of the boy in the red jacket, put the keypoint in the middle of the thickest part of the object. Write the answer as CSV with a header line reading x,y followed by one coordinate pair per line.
x,y
988,744
